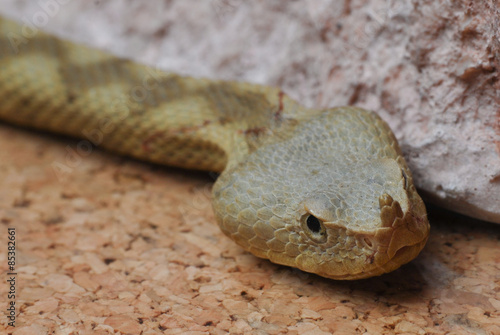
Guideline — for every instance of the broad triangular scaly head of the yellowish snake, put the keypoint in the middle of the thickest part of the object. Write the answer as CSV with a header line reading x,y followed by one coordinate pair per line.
x,y
335,199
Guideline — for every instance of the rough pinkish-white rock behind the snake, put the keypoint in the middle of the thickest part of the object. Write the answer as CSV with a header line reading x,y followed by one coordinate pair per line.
x,y
430,69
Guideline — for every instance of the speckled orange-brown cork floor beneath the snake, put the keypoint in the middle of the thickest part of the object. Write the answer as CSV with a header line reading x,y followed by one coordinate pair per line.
x,y
109,245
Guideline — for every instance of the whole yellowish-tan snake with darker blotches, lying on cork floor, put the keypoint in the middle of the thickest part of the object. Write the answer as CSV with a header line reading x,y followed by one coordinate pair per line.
x,y
326,191
